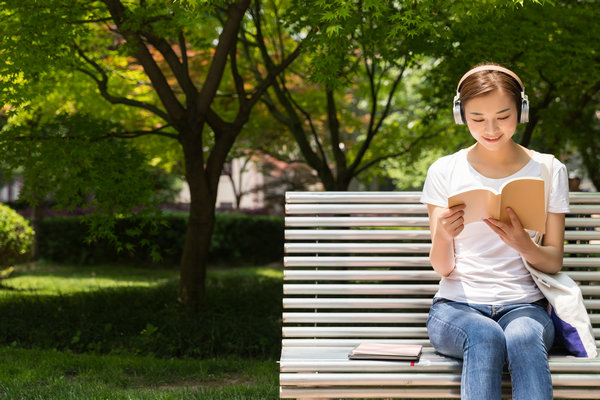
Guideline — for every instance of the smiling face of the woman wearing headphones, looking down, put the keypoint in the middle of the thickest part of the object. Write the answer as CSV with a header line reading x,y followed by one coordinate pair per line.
x,y
492,119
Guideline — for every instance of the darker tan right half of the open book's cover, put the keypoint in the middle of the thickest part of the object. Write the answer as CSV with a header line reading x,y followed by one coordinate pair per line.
x,y
527,199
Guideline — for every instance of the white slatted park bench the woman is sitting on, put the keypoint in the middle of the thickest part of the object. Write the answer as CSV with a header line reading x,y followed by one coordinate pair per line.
x,y
356,269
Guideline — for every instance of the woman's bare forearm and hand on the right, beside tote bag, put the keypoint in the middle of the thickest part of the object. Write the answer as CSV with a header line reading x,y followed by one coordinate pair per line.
x,y
547,257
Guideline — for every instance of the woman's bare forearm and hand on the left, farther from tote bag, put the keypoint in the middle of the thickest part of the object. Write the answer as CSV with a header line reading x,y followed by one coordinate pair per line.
x,y
445,224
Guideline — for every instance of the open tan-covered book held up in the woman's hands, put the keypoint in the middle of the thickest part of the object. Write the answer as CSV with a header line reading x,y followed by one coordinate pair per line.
x,y
525,196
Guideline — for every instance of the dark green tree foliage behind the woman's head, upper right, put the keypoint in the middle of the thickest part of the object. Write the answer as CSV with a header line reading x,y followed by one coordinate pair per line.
x,y
554,49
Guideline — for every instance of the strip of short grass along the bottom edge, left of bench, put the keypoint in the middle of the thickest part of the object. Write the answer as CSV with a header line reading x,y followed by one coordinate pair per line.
x,y
50,374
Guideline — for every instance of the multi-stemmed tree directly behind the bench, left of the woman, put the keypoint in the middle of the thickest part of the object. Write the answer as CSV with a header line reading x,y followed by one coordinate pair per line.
x,y
346,102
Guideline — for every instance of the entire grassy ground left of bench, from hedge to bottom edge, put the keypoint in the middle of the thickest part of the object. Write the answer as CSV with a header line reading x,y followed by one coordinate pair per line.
x,y
34,370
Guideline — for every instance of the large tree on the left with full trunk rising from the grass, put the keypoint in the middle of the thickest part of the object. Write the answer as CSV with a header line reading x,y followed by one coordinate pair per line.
x,y
181,50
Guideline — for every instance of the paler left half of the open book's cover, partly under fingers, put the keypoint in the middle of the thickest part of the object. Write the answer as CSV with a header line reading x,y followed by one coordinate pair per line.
x,y
480,203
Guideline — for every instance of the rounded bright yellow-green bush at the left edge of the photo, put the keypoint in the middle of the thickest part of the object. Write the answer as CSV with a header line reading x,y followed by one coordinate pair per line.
x,y
16,237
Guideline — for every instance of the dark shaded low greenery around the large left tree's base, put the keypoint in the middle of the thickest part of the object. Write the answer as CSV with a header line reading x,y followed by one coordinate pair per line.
x,y
241,317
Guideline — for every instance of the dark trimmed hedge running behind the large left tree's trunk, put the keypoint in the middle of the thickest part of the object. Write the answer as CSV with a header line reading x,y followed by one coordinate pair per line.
x,y
238,239
